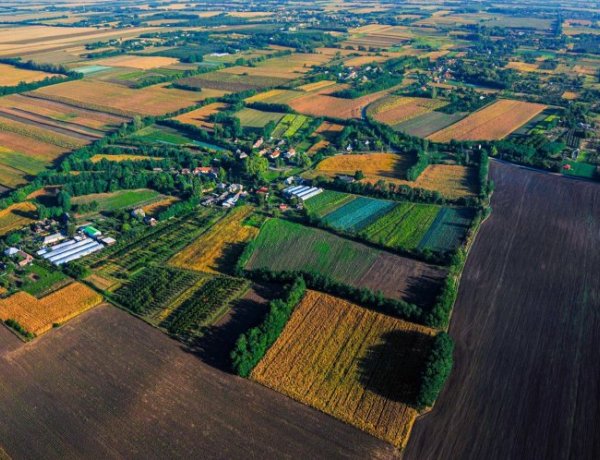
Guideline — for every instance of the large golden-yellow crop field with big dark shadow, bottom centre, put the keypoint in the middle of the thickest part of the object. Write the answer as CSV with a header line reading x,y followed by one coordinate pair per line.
x,y
342,359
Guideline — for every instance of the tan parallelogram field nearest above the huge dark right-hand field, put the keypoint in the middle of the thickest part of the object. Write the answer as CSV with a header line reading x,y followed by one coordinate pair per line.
x,y
493,122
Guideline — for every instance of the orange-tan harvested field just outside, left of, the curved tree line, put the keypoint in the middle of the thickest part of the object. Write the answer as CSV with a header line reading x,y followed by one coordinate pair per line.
x,y
320,105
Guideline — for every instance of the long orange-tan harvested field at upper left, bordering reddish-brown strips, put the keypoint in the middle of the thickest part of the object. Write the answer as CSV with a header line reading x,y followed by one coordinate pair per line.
x,y
120,100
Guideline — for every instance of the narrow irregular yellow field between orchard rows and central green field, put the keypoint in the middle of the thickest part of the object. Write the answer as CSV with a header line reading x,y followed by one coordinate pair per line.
x,y
206,253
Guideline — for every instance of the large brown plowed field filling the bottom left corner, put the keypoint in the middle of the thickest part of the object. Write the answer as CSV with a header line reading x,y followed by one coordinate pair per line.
x,y
107,385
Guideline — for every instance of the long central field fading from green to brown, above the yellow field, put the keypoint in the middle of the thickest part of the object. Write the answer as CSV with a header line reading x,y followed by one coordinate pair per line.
x,y
282,245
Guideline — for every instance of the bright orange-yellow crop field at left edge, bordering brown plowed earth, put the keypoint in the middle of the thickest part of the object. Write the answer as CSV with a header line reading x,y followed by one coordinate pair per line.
x,y
39,315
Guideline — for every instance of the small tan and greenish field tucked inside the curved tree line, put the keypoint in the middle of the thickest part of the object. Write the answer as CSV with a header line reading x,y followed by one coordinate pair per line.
x,y
394,110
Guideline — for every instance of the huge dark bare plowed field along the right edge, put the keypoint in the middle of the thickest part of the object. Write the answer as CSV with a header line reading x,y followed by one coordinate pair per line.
x,y
526,383
